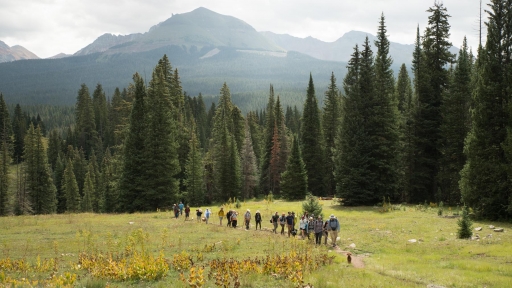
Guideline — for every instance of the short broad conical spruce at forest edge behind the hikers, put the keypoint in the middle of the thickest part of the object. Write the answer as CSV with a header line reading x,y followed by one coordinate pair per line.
x,y
294,181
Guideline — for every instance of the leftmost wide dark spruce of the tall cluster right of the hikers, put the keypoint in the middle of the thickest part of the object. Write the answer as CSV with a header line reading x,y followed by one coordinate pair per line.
x,y
353,159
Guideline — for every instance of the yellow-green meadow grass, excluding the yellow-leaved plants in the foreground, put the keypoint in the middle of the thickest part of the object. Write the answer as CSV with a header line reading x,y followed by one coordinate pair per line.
x,y
381,240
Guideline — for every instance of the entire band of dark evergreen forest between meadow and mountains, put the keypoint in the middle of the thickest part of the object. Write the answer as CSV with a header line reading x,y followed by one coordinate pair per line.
x,y
441,131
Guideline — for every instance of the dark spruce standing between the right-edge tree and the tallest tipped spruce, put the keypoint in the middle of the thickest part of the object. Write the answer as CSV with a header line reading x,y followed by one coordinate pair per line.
x,y
454,128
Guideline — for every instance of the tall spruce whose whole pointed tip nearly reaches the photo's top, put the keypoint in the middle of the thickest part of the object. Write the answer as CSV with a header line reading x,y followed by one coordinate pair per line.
x,y
431,82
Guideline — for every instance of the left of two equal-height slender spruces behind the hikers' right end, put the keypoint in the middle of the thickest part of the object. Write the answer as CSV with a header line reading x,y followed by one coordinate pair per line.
x,y
311,137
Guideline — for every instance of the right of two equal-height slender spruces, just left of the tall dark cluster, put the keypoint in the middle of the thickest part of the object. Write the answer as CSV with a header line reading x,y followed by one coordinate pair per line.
x,y
331,123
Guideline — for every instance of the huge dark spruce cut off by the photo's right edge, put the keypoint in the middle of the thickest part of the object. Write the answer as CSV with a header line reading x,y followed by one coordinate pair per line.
x,y
485,183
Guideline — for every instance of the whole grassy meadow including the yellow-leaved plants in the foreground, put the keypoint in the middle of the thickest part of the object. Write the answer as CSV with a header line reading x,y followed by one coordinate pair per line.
x,y
63,250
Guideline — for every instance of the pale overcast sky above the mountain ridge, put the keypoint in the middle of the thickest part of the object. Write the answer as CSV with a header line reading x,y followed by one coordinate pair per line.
x,y
49,27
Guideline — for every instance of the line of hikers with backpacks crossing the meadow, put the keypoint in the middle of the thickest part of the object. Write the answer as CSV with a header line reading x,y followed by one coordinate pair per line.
x,y
309,225
